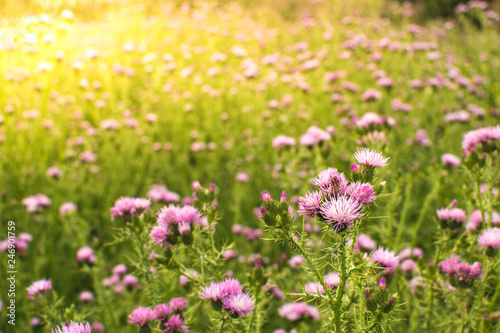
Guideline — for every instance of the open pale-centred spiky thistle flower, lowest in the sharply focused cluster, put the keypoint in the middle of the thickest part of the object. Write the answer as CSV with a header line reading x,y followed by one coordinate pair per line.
x,y
341,212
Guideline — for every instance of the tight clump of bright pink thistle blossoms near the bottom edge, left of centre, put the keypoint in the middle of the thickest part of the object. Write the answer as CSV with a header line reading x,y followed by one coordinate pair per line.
x,y
229,295
